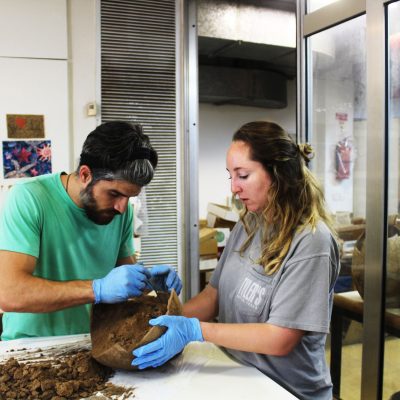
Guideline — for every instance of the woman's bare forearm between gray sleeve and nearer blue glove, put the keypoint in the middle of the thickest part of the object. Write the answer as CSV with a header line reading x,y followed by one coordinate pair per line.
x,y
260,338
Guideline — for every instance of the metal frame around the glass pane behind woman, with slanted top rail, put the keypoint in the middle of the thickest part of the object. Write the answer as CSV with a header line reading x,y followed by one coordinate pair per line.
x,y
373,338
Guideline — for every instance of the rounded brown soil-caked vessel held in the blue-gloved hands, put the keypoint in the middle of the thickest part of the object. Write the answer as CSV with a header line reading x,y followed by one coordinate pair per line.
x,y
117,329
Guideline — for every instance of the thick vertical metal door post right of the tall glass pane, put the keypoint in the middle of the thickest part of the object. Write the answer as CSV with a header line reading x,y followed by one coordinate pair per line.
x,y
375,240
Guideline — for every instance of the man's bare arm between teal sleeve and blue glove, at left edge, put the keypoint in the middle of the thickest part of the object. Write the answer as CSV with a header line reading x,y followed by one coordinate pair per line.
x,y
20,291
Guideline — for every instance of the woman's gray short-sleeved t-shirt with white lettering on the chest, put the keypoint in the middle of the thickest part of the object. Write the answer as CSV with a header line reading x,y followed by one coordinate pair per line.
x,y
299,296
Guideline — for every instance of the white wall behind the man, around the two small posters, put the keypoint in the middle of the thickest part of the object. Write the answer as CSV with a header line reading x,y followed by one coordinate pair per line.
x,y
48,68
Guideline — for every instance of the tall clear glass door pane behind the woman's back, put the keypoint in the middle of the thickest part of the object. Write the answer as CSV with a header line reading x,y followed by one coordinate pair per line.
x,y
337,131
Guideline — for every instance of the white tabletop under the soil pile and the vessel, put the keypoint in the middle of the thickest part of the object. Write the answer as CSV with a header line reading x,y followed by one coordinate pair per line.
x,y
202,371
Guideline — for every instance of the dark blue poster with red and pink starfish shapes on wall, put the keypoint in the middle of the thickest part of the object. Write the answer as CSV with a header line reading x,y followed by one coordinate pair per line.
x,y
26,158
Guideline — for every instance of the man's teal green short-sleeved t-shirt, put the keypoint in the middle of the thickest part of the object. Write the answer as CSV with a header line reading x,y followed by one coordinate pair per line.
x,y
40,219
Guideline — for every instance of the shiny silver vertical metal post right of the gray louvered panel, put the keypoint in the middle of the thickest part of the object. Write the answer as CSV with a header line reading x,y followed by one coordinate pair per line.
x,y
191,152
